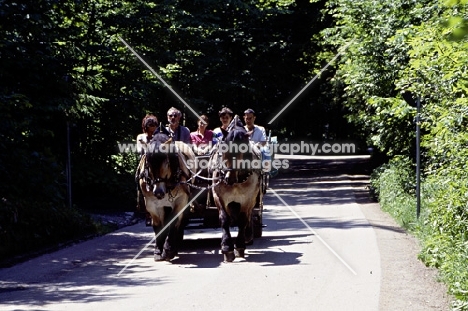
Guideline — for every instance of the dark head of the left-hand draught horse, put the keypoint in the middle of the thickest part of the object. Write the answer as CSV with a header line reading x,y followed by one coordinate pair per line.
x,y
162,162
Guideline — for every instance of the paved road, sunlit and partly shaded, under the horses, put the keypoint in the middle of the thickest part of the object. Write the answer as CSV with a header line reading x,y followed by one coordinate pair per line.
x,y
318,252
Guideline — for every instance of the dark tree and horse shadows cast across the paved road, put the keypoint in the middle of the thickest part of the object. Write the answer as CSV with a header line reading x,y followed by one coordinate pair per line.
x,y
69,274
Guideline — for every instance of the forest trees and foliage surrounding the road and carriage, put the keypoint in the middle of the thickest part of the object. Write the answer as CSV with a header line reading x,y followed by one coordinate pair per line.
x,y
70,92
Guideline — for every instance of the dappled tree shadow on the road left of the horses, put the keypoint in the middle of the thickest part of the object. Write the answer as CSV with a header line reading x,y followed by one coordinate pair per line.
x,y
93,270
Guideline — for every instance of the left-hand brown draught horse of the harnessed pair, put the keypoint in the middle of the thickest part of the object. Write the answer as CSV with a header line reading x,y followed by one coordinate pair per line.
x,y
163,176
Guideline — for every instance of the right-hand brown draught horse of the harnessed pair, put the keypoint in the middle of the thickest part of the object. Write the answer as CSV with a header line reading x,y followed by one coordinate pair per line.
x,y
236,162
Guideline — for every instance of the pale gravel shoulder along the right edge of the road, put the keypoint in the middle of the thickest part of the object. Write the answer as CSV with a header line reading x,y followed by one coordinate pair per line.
x,y
407,284
